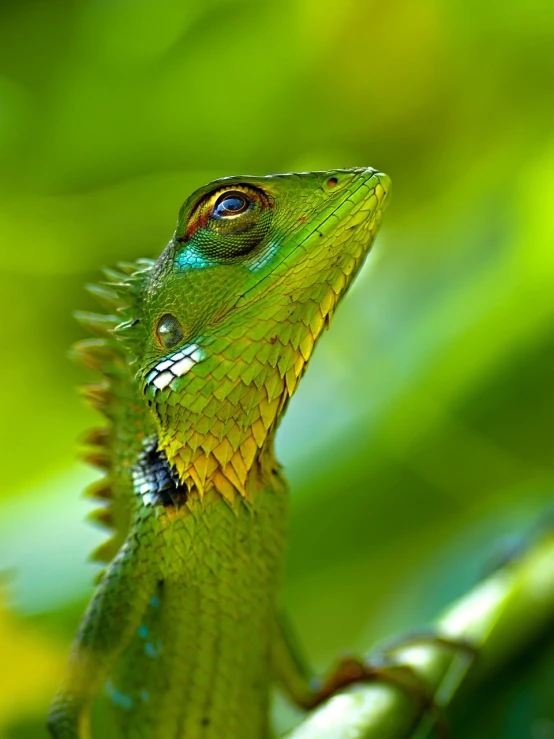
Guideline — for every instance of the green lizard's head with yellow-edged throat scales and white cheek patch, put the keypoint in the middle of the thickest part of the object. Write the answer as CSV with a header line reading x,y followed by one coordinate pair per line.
x,y
234,305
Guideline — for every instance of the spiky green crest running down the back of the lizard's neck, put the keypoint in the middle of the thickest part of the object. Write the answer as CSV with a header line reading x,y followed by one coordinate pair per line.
x,y
109,353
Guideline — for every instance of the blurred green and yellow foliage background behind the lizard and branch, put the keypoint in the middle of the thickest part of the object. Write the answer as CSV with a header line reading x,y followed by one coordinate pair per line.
x,y
420,443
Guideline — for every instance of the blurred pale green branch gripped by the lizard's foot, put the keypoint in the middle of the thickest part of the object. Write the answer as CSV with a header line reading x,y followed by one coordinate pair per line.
x,y
500,618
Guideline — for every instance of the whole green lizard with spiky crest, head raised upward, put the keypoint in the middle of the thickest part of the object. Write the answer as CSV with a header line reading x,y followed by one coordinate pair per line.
x,y
204,350
